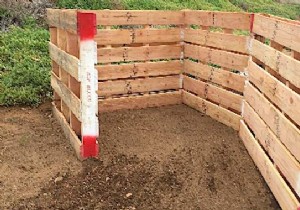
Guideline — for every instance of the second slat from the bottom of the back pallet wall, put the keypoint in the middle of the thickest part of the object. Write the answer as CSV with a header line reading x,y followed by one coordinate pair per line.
x,y
117,87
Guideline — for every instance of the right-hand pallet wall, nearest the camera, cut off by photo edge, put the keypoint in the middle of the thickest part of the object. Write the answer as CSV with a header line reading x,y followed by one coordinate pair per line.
x,y
271,113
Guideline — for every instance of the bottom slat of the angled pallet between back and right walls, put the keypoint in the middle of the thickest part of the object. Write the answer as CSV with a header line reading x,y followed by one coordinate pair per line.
x,y
214,111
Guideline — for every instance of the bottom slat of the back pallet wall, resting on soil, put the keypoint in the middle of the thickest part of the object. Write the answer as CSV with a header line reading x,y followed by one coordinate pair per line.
x,y
140,102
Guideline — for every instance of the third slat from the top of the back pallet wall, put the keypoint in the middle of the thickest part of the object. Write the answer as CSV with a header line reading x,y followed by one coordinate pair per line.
x,y
108,55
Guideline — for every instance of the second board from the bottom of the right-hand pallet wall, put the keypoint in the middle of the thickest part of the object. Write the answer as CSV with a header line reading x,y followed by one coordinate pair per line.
x,y
282,158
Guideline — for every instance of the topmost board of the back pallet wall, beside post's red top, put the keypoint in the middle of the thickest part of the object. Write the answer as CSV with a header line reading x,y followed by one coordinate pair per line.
x,y
138,17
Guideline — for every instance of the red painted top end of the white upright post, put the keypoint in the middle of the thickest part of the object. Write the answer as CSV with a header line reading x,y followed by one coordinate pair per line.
x,y
86,25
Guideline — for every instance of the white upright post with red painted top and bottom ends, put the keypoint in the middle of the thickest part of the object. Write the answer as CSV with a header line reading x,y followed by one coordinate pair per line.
x,y
89,84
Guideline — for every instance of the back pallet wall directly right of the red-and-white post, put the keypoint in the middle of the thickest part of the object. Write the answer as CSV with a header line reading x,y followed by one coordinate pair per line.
x,y
139,58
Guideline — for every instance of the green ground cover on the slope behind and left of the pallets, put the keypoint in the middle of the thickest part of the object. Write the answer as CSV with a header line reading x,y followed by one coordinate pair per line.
x,y
24,58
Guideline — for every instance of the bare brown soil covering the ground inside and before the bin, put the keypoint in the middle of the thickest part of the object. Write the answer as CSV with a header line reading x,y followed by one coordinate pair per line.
x,y
165,158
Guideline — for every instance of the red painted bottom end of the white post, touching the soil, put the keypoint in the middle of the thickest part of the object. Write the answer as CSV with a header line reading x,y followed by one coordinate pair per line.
x,y
89,147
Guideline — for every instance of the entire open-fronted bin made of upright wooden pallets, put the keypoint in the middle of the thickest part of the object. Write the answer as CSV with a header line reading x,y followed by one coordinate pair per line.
x,y
240,69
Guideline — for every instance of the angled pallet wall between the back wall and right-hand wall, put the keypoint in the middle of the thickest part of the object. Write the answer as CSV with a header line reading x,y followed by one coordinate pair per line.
x,y
216,55
